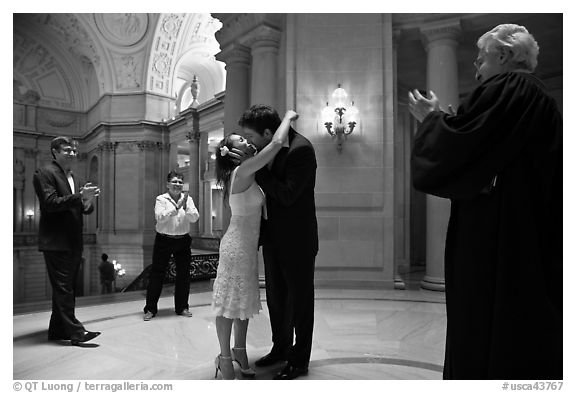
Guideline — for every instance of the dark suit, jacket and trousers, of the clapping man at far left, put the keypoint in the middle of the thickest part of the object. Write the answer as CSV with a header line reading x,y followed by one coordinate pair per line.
x,y
60,239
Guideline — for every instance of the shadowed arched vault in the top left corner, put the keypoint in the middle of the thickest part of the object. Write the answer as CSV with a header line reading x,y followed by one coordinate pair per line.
x,y
55,56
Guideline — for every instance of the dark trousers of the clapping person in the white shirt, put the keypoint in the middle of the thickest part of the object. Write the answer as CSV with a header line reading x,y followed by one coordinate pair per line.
x,y
164,248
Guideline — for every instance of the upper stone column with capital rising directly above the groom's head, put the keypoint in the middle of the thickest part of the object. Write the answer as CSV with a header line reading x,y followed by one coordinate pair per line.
x,y
263,42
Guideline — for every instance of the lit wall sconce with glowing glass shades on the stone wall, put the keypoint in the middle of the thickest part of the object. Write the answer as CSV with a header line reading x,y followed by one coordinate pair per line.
x,y
340,119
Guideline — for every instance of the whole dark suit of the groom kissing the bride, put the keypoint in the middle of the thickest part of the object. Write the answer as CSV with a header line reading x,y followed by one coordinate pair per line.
x,y
290,243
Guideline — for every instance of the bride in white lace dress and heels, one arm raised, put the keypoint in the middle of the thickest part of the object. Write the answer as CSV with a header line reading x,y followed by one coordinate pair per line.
x,y
236,296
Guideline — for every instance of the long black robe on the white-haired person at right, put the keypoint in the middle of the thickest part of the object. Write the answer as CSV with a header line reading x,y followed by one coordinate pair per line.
x,y
499,161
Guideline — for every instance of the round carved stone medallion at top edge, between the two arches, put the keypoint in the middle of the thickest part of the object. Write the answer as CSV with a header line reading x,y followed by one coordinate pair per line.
x,y
122,29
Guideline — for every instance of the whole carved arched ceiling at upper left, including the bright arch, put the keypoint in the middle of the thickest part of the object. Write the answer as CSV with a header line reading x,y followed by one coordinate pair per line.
x,y
71,60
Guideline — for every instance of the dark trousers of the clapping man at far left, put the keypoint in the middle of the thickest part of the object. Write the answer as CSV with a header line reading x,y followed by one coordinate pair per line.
x,y
62,269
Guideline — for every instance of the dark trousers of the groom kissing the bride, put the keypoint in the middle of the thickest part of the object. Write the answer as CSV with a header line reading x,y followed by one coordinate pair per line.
x,y
290,299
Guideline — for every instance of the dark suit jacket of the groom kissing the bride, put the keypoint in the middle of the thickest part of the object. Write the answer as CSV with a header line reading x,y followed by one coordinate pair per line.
x,y
291,226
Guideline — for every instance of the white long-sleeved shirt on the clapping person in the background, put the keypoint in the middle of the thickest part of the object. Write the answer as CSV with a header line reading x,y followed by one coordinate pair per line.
x,y
170,221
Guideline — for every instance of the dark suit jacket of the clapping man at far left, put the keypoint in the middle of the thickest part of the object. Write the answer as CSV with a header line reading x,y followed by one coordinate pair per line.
x,y
60,210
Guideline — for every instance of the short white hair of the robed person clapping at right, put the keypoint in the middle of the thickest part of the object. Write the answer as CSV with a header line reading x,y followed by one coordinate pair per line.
x,y
517,39
